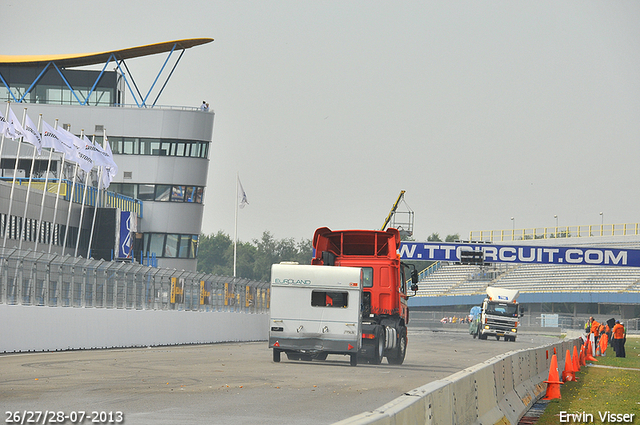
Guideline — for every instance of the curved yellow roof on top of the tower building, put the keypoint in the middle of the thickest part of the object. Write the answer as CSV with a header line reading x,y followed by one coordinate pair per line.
x,y
85,59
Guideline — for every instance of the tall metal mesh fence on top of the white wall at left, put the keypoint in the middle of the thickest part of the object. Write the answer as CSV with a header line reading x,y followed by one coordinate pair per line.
x,y
40,279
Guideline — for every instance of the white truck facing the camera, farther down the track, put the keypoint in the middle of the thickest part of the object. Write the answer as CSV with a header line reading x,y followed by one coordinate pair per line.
x,y
499,316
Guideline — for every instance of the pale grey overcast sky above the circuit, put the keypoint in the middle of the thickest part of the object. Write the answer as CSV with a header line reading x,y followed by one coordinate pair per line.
x,y
480,111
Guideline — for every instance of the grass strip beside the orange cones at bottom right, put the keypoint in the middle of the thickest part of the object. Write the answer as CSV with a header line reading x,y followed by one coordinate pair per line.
x,y
600,390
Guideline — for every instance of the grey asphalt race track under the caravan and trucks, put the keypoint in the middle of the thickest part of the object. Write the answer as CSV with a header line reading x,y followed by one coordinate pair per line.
x,y
231,383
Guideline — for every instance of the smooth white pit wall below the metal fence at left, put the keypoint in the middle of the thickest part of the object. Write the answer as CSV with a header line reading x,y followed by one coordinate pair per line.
x,y
38,328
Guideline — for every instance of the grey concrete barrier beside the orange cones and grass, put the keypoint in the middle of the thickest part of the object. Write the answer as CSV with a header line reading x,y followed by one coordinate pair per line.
x,y
498,391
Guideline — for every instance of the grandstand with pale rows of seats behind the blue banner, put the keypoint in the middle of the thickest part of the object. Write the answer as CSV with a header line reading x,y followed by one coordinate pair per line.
x,y
584,288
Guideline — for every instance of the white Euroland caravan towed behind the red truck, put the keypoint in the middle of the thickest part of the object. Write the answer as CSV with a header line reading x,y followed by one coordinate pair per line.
x,y
315,311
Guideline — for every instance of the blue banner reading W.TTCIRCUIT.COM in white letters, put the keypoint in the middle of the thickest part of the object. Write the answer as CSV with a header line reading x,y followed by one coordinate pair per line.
x,y
440,251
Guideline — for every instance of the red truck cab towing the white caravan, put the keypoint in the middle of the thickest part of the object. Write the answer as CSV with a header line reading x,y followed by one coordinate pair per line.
x,y
385,313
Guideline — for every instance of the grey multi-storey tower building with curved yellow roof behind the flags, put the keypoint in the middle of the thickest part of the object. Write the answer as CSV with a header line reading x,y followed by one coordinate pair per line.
x,y
162,153
